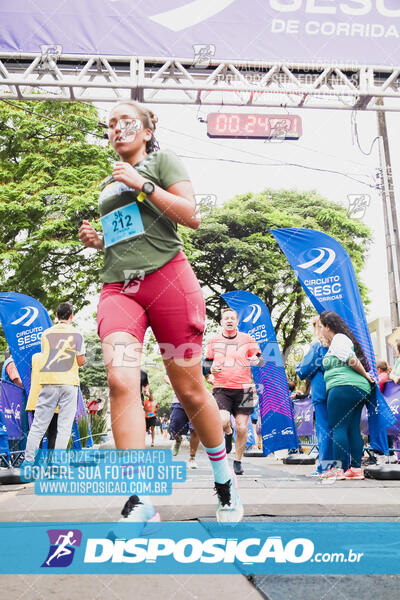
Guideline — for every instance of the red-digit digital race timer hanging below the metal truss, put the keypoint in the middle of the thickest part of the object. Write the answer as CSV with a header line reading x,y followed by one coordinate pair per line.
x,y
243,125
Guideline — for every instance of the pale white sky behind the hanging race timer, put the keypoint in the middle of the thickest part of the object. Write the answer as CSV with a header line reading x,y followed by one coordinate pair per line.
x,y
327,143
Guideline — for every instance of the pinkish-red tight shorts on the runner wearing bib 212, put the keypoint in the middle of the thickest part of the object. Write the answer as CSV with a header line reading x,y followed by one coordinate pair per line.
x,y
170,301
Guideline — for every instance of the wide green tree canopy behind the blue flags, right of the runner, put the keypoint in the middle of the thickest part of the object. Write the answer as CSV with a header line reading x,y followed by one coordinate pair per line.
x,y
233,250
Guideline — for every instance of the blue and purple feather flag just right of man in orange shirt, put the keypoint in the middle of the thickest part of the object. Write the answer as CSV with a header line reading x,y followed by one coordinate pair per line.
x,y
278,430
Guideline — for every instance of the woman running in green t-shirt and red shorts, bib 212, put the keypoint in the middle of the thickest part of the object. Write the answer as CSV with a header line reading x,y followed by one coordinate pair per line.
x,y
147,280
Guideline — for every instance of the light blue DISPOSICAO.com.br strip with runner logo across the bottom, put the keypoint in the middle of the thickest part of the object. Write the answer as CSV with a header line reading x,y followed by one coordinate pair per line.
x,y
197,548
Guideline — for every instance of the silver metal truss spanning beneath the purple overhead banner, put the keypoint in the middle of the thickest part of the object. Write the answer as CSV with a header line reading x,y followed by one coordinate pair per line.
x,y
183,81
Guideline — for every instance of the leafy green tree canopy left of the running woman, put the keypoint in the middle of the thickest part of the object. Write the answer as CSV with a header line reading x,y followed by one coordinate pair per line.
x,y
52,159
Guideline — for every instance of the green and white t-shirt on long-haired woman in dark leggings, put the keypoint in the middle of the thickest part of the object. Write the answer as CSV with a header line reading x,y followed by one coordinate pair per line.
x,y
337,370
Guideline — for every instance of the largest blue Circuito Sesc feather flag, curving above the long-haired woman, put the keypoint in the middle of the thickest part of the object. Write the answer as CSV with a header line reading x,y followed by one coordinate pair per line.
x,y
326,273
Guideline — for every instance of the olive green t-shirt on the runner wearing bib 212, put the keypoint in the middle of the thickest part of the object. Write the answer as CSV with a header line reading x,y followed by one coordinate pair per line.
x,y
160,241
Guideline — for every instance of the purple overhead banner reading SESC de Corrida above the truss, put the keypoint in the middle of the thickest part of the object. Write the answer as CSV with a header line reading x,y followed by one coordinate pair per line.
x,y
352,32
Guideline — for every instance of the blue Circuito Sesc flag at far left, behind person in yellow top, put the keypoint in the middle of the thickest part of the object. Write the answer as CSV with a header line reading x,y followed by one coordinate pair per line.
x,y
23,320
